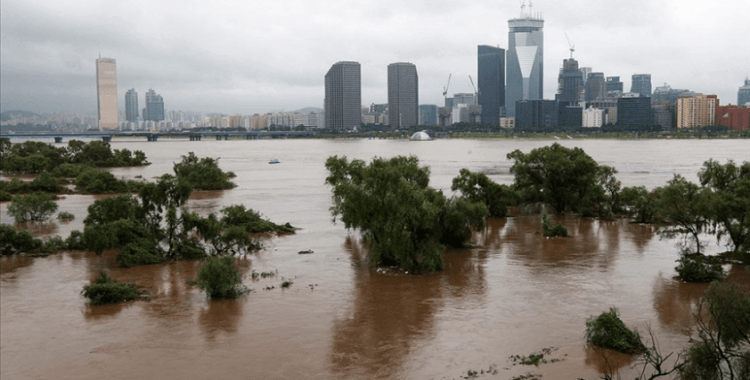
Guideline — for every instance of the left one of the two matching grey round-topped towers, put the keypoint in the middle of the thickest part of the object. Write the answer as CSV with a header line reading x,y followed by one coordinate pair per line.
x,y
343,96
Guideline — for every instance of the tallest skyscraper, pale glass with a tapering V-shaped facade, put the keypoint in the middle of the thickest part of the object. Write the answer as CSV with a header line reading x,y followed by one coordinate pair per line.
x,y
525,61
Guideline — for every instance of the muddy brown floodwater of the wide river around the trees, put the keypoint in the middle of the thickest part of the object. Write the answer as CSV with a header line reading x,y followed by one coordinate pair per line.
x,y
516,293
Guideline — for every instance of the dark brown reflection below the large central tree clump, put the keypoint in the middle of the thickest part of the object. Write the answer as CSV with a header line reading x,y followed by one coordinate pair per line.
x,y
392,312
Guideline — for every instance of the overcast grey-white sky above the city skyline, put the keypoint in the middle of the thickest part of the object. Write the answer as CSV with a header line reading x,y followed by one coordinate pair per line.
x,y
257,56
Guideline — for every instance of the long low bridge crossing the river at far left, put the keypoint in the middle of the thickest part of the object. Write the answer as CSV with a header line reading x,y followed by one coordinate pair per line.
x,y
154,136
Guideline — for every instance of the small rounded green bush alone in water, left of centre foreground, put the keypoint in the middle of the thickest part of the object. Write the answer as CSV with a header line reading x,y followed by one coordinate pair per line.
x,y
220,279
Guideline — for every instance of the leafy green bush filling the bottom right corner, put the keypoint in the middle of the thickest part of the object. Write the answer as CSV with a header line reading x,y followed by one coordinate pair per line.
x,y
721,349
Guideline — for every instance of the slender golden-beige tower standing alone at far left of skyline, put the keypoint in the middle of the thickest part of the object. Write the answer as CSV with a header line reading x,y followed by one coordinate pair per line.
x,y
106,93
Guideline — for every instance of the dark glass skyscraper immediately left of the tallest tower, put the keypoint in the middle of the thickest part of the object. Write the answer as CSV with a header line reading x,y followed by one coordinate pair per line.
x,y
491,82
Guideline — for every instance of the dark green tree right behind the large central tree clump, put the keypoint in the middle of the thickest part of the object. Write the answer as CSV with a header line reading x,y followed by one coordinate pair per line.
x,y
477,187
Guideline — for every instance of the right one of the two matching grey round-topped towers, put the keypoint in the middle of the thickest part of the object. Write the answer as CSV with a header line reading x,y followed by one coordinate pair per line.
x,y
403,95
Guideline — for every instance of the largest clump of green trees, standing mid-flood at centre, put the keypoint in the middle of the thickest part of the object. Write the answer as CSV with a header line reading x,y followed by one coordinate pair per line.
x,y
403,218
